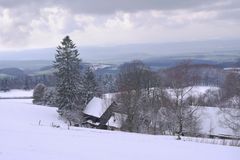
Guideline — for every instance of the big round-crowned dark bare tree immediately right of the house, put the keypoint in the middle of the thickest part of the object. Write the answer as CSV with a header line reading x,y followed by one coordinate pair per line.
x,y
134,82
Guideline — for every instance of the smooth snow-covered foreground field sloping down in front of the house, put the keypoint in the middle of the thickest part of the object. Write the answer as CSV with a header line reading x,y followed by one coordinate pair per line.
x,y
22,138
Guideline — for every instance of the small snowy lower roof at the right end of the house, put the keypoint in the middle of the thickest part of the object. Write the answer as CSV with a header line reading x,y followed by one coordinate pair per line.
x,y
116,120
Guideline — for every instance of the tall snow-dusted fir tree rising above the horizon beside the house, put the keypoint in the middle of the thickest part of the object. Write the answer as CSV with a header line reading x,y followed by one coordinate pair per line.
x,y
68,84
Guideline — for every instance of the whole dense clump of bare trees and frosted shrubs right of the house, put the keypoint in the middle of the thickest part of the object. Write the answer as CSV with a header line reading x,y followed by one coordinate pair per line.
x,y
142,97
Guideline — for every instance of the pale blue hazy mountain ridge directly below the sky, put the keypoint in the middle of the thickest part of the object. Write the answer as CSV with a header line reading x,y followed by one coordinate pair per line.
x,y
205,50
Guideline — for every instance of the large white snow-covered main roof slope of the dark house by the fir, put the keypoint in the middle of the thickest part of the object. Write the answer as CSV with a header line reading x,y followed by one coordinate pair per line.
x,y
97,106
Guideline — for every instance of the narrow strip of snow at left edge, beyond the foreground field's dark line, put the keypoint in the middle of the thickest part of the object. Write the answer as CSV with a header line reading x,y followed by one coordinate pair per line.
x,y
16,93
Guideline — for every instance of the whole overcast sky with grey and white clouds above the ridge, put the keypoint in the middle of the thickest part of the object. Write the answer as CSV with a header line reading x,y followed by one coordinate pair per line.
x,y
43,23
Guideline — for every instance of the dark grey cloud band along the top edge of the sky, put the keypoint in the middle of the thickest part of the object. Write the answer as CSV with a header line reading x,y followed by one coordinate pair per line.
x,y
111,6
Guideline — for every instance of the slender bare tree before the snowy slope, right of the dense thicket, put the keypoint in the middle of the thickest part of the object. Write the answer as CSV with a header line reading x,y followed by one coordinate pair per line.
x,y
183,115
